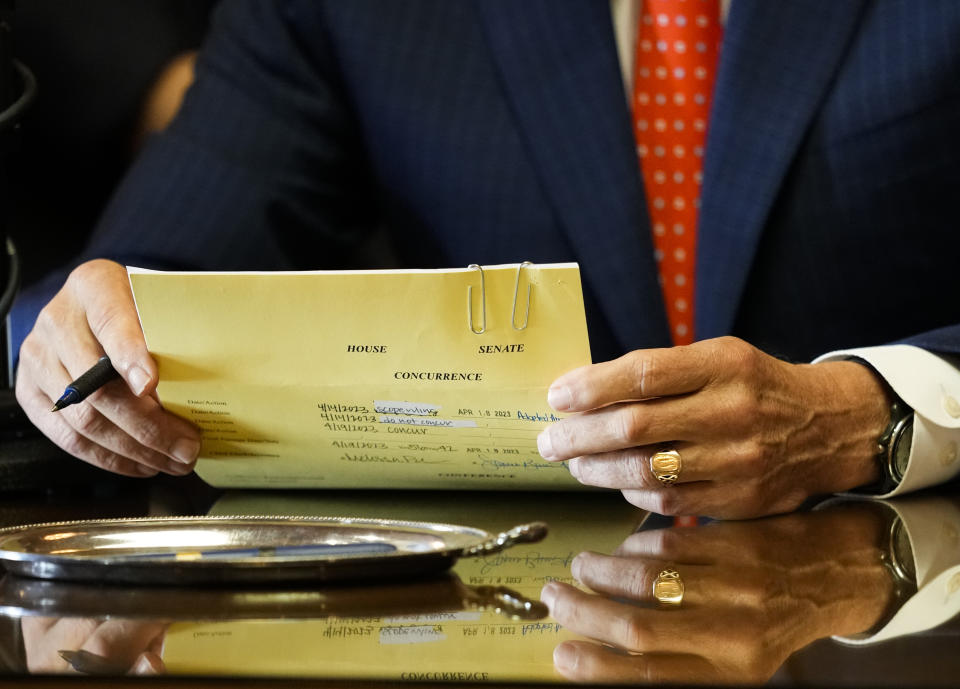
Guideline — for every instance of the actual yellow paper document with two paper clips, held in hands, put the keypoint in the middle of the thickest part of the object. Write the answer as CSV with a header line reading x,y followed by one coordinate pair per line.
x,y
367,379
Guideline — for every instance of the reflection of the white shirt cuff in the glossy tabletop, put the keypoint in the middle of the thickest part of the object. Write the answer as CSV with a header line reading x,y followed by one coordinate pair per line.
x,y
933,526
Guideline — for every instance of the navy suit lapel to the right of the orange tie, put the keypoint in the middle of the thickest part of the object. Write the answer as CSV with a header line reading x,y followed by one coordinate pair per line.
x,y
777,62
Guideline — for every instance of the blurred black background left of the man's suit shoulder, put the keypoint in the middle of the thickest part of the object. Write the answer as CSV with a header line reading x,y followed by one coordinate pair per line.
x,y
95,62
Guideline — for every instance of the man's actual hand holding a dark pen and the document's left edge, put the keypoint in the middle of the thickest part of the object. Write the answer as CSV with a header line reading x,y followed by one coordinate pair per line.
x,y
122,427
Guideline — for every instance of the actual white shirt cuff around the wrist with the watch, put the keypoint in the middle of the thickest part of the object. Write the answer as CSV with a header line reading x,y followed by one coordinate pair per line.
x,y
930,384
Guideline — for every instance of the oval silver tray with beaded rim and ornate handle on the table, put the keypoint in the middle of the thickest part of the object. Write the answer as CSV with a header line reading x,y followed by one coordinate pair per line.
x,y
207,550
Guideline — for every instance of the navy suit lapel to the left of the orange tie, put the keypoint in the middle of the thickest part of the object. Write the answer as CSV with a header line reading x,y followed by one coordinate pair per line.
x,y
559,66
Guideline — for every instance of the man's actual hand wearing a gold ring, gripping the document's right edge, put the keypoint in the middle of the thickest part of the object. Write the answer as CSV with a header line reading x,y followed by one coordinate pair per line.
x,y
756,435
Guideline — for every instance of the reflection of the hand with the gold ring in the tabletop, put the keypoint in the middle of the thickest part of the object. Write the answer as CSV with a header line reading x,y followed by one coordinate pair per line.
x,y
754,593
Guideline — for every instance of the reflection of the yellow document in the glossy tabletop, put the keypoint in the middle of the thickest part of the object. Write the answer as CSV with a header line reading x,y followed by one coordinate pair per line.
x,y
448,646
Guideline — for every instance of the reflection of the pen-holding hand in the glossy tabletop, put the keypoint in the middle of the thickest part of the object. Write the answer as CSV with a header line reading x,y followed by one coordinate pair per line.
x,y
120,646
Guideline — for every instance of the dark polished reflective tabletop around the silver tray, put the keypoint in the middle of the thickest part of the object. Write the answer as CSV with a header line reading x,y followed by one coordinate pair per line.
x,y
778,601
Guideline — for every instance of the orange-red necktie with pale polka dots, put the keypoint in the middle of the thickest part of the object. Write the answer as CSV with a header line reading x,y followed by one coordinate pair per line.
x,y
678,43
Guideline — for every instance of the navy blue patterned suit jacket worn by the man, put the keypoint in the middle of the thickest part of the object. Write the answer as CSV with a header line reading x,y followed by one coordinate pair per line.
x,y
487,131
